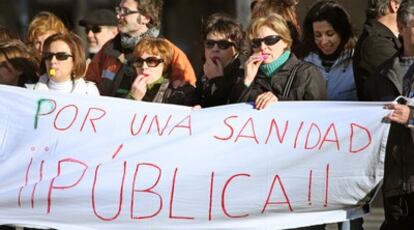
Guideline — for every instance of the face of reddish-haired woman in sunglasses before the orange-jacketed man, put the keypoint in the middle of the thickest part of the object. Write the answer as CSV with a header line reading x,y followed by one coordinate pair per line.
x,y
151,66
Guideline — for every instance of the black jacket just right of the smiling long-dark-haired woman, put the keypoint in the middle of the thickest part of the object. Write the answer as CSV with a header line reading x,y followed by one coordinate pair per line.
x,y
375,46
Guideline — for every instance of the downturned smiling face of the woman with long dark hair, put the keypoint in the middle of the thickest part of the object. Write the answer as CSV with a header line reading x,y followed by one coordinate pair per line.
x,y
326,38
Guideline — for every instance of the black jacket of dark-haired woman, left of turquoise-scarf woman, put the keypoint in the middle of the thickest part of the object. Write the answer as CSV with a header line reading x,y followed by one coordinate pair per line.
x,y
216,91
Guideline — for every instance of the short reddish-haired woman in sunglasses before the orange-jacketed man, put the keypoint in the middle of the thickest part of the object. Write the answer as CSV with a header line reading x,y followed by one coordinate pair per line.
x,y
152,84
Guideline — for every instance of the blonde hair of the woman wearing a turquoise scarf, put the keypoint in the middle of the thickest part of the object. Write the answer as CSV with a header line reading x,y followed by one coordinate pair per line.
x,y
274,22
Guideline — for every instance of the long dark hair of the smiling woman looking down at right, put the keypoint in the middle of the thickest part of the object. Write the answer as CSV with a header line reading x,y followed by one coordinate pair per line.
x,y
334,13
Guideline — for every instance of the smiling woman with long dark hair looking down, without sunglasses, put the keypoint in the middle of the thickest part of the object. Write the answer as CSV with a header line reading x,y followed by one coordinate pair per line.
x,y
330,42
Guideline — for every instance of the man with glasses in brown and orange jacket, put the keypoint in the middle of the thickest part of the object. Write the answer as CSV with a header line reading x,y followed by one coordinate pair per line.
x,y
112,68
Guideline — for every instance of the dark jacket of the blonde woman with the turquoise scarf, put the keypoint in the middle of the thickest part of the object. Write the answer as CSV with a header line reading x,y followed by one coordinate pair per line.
x,y
309,84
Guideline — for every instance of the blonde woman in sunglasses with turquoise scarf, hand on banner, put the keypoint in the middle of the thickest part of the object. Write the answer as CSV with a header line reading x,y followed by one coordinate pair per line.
x,y
272,72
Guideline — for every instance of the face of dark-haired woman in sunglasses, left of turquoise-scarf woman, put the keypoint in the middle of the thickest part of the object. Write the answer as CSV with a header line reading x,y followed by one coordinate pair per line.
x,y
219,48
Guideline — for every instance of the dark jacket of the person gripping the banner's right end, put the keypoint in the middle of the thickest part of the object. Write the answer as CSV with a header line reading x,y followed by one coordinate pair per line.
x,y
386,85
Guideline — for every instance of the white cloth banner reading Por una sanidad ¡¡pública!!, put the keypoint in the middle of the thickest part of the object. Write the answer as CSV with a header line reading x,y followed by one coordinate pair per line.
x,y
78,162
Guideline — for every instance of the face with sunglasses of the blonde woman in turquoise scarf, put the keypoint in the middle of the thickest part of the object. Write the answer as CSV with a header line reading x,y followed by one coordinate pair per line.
x,y
268,44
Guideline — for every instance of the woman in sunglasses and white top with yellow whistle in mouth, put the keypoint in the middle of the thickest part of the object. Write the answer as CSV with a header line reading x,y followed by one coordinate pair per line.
x,y
63,66
